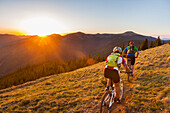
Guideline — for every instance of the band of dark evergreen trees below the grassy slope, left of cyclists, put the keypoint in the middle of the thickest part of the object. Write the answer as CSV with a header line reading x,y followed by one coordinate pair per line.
x,y
33,72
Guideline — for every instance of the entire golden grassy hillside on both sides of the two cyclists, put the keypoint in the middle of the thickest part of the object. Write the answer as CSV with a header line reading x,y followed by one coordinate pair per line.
x,y
81,90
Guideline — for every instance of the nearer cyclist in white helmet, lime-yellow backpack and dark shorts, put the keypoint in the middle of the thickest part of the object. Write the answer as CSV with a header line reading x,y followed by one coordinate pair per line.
x,y
111,71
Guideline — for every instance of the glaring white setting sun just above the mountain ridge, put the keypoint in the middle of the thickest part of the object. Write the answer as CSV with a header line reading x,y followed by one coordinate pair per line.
x,y
41,26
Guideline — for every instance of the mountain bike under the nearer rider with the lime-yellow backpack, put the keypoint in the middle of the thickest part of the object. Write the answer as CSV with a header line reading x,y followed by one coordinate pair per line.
x,y
109,96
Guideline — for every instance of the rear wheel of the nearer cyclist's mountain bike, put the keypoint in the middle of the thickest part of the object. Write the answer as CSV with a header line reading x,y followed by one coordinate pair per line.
x,y
104,107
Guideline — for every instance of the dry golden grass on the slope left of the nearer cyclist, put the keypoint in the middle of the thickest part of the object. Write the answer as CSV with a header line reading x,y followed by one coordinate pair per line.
x,y
58,93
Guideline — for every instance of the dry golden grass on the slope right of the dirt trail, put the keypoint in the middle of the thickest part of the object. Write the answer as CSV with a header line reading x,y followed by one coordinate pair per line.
x,y
151,91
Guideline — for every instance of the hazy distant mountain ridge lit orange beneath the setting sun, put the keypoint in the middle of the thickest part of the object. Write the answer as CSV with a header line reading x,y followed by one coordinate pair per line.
x,y
19,51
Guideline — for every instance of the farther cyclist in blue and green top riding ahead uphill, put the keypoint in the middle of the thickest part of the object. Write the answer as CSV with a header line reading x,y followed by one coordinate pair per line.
x,y
131,50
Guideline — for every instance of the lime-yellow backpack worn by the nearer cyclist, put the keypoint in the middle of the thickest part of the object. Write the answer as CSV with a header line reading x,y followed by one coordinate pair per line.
x,y
113,60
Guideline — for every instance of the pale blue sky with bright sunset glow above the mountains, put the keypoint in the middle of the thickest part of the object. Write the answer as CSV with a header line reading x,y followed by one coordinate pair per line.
x,y
43,17
